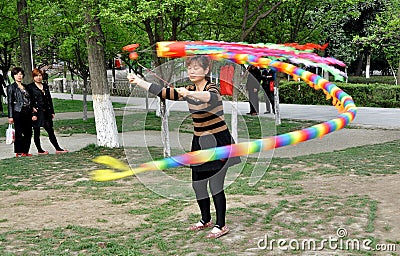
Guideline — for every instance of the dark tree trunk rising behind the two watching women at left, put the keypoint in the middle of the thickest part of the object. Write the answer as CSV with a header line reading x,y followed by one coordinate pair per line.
x,y
24,35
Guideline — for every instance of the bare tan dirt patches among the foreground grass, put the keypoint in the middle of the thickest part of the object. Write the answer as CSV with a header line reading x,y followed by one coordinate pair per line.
x,y
47,209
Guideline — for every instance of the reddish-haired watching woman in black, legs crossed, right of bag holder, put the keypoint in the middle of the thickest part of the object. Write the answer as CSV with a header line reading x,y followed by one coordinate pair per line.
x,y
43,108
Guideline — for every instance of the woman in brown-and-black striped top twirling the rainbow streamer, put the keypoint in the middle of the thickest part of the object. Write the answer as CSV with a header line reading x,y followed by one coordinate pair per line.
x,y
210,130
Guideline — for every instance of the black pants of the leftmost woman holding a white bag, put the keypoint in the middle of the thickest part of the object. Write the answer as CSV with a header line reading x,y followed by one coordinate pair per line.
x,y
23,131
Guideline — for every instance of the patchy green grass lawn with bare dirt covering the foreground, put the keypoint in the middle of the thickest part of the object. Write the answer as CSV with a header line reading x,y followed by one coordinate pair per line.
x,y
50,207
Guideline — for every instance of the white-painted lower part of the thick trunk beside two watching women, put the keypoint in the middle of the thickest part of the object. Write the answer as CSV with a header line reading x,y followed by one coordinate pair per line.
x,y
106,127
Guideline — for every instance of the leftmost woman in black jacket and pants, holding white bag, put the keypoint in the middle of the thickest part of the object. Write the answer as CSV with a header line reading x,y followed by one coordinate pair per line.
x,y
20,113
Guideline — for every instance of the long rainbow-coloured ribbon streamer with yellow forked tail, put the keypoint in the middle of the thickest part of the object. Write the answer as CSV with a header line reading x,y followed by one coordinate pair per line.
x,y
242,54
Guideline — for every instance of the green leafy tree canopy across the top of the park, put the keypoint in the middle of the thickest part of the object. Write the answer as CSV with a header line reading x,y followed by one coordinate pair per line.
x,y
353,28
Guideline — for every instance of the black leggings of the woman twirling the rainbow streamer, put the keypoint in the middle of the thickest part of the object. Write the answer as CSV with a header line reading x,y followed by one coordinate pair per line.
x,y
200,180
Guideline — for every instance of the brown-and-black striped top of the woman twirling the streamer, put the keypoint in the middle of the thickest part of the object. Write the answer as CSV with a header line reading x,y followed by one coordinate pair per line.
x,y
208,117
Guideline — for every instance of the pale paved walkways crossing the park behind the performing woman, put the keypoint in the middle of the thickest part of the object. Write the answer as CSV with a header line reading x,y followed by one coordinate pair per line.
x,y
377,125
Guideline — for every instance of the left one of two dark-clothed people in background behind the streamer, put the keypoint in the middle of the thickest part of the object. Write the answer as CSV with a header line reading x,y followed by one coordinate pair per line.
x,y
253,86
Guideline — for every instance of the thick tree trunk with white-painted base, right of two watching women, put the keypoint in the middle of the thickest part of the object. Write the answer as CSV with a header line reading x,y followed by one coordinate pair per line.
x,y
106,127
